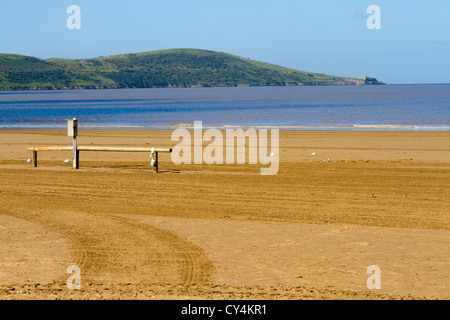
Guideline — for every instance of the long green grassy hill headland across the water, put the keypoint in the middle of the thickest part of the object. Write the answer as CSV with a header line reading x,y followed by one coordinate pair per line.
x,y
165,68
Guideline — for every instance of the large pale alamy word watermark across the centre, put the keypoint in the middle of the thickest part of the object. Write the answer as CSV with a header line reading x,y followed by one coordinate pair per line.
x,y
190,148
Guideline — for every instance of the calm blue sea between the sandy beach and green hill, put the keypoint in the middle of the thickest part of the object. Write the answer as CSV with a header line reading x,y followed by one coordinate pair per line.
x,y
359,107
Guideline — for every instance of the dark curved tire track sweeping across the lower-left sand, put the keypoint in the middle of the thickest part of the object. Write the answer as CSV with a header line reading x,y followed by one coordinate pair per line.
x,y
114,251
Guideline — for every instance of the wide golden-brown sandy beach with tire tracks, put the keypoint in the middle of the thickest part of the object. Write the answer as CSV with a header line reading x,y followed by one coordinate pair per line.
x,y
225,231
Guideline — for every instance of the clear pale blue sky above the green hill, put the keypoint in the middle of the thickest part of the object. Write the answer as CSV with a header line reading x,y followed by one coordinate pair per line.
x,y
412,44
